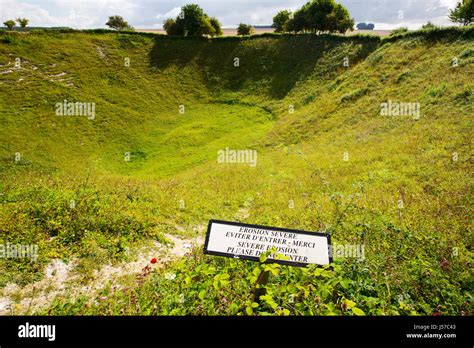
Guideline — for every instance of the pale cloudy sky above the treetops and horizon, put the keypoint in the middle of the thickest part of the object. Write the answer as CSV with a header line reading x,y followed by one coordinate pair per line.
x,y
150,14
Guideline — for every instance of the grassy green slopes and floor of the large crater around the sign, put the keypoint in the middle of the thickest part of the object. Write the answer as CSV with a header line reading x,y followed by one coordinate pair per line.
x,y
94,192
